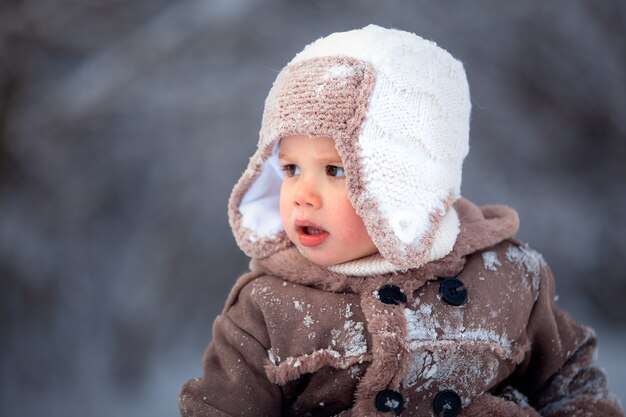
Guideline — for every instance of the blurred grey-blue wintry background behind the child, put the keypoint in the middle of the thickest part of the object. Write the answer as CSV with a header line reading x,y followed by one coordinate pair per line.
x,y
124,125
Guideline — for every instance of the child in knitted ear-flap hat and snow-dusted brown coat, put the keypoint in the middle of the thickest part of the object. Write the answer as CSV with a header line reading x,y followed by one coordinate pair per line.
x,y
375,290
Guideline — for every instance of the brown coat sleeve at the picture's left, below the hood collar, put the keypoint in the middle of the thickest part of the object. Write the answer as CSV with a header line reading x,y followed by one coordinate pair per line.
x,y
234,381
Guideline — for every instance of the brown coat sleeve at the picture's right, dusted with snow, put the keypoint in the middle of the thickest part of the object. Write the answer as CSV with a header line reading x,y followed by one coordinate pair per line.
x,y
558,376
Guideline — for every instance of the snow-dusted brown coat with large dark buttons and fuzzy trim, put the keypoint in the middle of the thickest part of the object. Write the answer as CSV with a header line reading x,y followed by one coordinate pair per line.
x,y
297,340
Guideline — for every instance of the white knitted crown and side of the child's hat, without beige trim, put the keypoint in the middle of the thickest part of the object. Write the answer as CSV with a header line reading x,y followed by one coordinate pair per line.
x,y
416,129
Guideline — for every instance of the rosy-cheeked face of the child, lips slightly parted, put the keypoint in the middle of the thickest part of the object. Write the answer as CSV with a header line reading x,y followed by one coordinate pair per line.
x,y
314,206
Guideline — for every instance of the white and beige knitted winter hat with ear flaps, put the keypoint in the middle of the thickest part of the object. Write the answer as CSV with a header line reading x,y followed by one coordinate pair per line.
x,y
398,109
